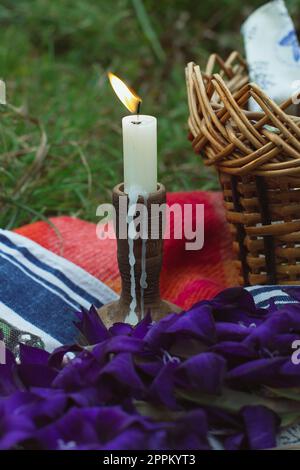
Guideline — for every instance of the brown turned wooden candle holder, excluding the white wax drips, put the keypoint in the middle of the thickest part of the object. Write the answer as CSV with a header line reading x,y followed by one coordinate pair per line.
x,y
118,311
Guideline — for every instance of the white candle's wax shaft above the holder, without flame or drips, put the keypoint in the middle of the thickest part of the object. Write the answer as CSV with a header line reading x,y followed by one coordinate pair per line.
x,y
140,153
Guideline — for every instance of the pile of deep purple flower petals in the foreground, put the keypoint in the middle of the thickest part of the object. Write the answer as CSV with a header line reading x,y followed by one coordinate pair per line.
x,y
217,376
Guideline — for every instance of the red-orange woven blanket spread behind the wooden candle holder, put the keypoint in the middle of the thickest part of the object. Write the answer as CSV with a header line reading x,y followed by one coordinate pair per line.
x,y
187,276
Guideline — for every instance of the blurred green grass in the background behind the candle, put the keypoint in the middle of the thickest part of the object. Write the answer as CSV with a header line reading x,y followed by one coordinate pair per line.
x,y
61,132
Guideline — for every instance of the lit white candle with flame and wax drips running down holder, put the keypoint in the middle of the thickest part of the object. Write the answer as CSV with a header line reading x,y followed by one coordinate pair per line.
x,y
140,176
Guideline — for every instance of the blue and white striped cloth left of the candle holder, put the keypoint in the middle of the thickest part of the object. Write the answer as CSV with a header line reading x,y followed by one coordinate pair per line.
x,y
40,291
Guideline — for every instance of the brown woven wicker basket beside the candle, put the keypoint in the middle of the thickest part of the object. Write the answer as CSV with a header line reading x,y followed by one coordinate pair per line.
x,y
257,155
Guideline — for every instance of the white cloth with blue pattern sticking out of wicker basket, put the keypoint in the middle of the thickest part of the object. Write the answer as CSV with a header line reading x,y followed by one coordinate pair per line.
x,y
273,52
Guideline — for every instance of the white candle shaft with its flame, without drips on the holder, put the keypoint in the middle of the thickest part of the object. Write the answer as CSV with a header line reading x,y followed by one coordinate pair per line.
x,y
139,142
